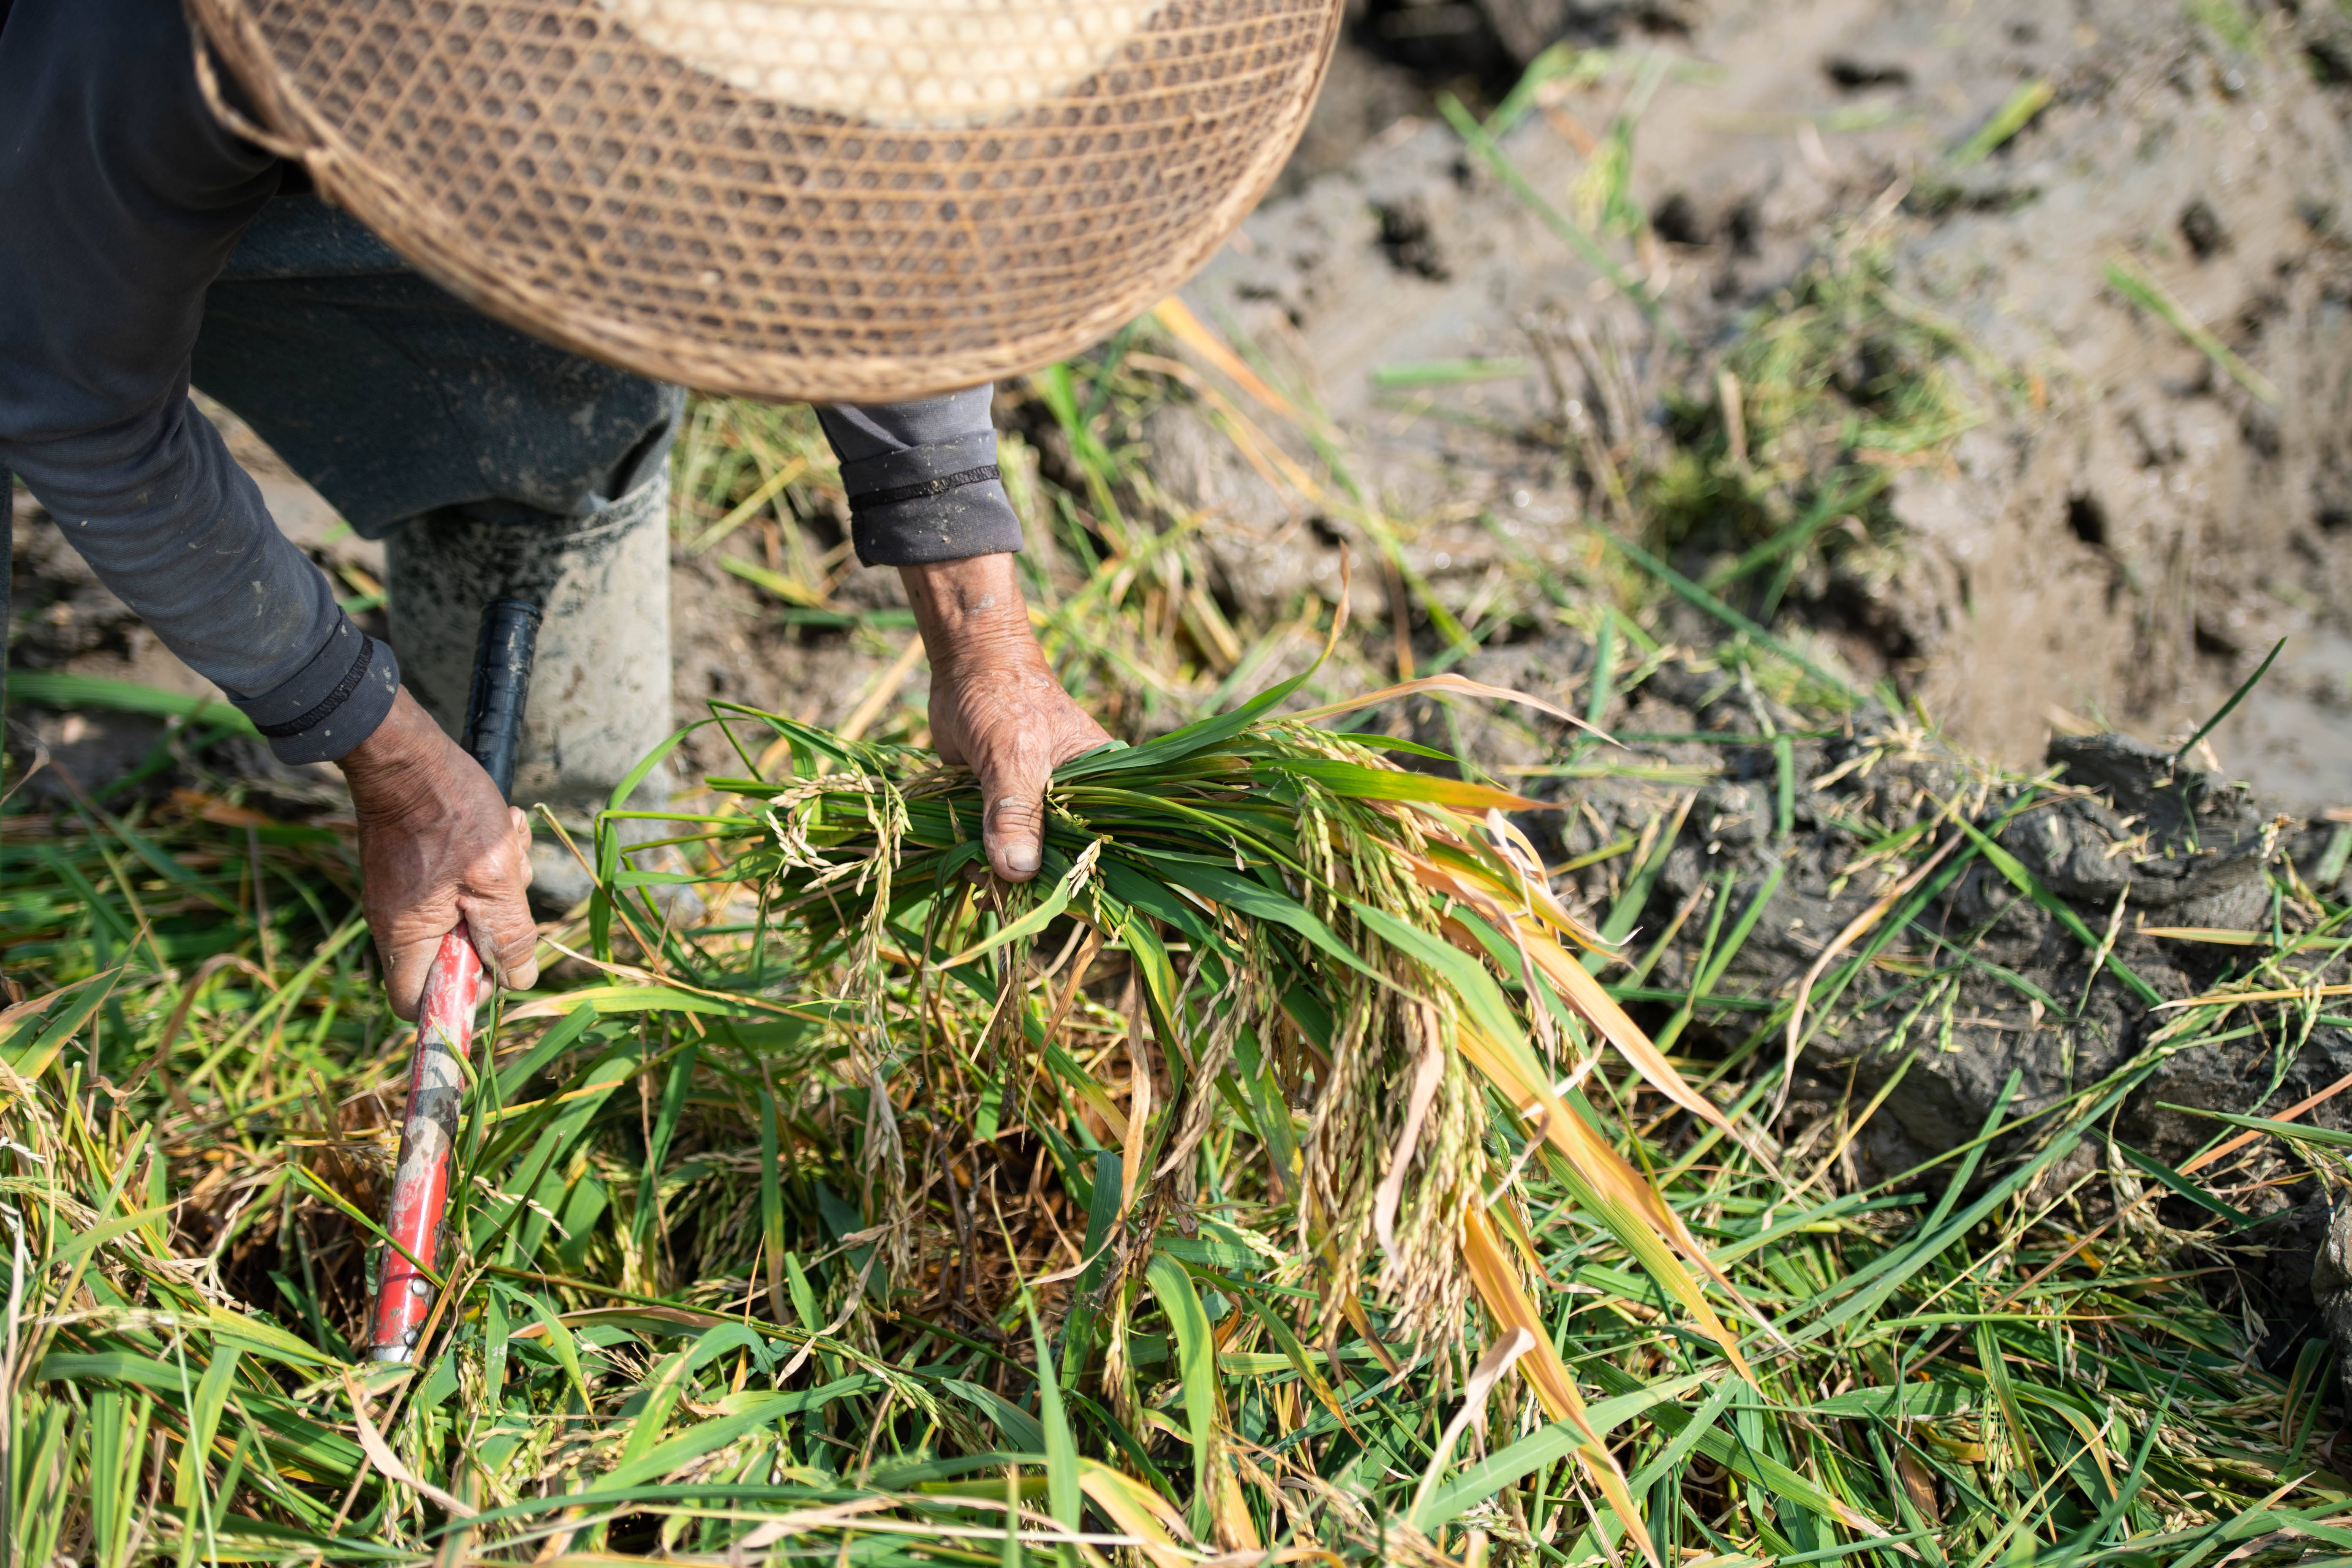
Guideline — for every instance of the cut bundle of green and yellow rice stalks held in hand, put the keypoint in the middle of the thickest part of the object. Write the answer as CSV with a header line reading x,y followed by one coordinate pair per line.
x,y
1363,963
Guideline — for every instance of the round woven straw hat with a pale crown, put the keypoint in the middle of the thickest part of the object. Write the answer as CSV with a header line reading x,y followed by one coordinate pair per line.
x,y
838,201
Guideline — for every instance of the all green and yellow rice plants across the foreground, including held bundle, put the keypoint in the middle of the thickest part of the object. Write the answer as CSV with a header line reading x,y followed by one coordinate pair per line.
x,y
1269,1181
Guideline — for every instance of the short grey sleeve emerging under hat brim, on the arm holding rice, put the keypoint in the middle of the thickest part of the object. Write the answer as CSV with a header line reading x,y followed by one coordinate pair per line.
x,y
923,481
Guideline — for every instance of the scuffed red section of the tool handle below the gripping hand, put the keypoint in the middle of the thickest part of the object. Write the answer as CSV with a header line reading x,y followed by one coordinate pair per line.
x,y
427,1151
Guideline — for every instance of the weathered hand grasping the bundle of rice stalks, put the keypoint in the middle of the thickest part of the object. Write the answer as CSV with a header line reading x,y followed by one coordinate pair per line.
x,y
996,704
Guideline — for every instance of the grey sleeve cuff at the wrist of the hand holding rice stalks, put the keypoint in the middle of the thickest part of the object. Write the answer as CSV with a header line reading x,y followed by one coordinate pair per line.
x,y
942,502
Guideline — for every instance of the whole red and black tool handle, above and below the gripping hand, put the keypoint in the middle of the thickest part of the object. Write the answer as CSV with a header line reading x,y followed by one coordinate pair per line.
x,y
502,676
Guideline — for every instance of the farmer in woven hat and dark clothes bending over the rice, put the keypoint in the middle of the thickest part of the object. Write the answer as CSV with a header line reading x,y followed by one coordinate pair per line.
x,y
166,225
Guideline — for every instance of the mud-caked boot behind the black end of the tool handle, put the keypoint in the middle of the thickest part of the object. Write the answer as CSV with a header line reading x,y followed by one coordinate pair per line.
x,y
601,688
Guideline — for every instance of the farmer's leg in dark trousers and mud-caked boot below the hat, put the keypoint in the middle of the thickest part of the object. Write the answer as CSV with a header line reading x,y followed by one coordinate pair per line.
x,y
488,462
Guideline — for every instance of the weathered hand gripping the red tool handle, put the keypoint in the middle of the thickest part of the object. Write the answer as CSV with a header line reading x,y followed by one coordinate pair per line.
x,y
436,845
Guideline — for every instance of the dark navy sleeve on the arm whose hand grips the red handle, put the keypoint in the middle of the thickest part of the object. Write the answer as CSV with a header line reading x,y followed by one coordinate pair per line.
x,y
123,199
